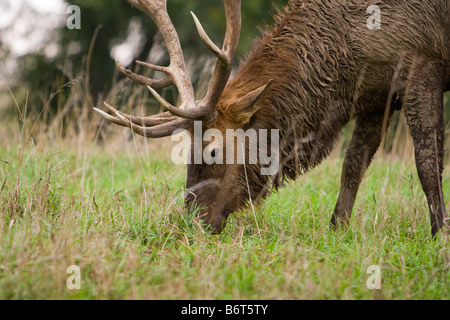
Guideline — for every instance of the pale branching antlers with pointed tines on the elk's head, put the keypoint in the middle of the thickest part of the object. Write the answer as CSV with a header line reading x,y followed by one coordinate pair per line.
x,y
176,74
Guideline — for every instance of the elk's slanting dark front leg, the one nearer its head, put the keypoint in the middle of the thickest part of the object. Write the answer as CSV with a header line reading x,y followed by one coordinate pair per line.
x,y
365,142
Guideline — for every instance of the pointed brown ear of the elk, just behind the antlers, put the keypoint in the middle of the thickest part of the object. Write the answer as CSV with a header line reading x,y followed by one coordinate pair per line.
x,y
246,106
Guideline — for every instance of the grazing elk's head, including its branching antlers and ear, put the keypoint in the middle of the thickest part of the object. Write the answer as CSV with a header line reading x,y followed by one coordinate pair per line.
x,y
218,189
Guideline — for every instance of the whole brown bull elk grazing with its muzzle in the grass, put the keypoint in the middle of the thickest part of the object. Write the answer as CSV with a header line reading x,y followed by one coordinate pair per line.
x,y
318,67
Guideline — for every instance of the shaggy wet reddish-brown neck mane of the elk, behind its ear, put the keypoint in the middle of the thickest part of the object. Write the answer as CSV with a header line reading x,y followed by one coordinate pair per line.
x,y
300,57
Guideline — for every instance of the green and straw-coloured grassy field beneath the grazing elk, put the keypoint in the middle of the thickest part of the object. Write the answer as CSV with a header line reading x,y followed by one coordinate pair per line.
x,y
115,210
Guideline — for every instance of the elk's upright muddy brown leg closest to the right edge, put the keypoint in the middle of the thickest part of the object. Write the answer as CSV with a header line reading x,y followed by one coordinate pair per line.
x,y
424,110
